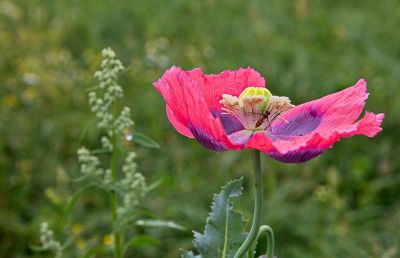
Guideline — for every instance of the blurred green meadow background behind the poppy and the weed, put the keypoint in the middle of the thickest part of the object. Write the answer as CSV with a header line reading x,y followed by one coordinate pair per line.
x,y
344,203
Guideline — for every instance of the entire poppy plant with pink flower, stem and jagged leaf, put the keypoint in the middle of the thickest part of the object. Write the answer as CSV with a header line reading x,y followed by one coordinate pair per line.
x,y
232,111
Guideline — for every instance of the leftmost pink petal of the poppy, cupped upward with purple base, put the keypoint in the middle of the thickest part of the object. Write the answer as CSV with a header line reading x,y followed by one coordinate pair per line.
x,y
188,111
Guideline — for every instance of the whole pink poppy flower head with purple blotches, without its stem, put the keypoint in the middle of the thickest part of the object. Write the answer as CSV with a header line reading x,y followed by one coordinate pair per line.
x,y
233,110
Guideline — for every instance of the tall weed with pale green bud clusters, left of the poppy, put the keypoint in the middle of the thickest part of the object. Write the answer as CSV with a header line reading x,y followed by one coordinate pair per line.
x,y
126,190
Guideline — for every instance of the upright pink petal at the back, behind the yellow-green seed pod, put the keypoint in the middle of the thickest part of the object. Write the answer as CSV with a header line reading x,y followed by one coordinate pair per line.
x,y
212,86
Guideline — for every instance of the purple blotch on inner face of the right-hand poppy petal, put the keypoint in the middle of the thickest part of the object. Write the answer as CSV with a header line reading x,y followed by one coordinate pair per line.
x,y
298,125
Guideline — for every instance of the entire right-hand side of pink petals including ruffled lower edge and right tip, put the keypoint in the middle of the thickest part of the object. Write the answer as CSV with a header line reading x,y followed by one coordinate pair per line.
x,y
315,126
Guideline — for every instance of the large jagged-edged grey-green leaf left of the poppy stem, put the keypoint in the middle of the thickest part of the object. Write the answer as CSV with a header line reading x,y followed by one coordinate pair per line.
x,y
224,232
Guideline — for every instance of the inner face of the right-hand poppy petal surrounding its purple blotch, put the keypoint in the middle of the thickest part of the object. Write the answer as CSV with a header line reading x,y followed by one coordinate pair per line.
x,y
322,116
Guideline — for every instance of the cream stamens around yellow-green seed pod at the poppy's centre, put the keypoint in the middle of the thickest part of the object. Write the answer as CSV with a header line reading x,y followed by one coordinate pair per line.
x,y
255,108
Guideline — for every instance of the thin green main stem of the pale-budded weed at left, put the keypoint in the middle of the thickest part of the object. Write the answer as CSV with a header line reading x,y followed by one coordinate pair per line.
x,y
113,197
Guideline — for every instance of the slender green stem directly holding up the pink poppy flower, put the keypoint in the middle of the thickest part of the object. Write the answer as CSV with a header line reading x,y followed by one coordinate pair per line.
x,y
257,208
